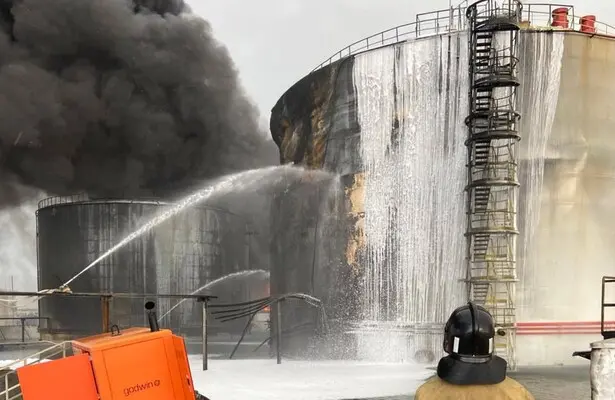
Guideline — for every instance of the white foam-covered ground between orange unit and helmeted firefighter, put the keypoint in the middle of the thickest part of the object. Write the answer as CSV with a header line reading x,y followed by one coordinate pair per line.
x,y
301,380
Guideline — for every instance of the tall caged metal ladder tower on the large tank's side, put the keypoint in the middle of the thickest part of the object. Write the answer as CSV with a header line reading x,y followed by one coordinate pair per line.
x,y
492,164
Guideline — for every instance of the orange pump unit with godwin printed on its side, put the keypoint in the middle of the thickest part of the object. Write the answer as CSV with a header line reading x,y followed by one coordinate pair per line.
x,y
136,364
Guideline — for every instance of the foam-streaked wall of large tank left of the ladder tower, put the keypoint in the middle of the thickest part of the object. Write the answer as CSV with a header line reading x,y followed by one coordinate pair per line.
x,y
379,312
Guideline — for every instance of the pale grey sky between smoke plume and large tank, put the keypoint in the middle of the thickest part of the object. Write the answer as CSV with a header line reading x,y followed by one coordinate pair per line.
x,y
276,42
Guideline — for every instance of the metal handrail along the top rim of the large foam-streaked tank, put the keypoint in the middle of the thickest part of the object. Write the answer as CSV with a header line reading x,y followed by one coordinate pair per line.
x,y
449,21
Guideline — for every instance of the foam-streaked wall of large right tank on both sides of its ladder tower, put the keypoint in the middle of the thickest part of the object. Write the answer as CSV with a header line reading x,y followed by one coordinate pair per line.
x,y
416,93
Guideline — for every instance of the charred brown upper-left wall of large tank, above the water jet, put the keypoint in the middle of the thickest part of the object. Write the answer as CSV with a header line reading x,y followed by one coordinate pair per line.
x,y
315,123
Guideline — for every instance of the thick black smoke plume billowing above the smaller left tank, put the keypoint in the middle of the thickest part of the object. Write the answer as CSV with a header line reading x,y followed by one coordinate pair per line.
x,y
118,99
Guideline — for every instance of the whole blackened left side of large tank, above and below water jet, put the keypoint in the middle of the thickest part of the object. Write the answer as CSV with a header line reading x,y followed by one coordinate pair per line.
x,y
315,124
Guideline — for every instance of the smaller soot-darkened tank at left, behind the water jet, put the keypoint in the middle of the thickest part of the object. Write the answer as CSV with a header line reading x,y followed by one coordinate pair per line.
x,y
179,256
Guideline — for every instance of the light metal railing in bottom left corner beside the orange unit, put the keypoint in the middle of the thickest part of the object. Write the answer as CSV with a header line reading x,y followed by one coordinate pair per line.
x,y
9,384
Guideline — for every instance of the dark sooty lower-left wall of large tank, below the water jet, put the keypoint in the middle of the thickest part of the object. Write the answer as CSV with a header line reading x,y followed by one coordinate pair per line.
x,y
308,241
